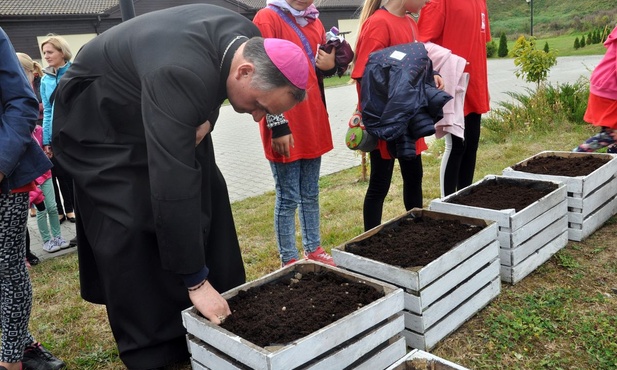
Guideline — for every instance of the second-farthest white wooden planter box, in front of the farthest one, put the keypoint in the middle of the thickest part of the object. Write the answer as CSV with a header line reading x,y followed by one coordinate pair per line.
x,y
527,238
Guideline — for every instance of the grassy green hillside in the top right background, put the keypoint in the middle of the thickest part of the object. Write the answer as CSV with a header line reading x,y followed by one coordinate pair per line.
x,y
550,17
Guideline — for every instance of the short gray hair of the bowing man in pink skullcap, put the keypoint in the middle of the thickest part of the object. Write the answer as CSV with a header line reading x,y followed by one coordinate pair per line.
x,y
267,76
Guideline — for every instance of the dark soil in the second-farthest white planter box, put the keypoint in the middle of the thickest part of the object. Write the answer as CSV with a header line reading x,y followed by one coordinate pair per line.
x,y
503,194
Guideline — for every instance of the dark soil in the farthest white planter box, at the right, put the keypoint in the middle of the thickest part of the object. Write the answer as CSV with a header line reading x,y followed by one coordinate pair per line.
x,y
562,166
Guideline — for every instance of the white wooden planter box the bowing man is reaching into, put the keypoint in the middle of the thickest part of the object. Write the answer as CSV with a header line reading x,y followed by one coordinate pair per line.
x,y
368,338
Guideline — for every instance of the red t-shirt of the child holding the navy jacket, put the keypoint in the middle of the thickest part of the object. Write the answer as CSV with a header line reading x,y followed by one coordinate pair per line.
x,y
381,30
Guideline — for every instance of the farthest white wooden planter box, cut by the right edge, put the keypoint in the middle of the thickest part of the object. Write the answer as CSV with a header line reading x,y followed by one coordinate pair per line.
x,y
592,199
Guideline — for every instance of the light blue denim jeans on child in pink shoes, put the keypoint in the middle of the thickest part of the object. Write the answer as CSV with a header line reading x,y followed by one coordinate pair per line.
x,y
297,187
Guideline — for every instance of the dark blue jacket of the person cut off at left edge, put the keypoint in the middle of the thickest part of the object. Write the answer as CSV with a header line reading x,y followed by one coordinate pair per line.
x,y
21,158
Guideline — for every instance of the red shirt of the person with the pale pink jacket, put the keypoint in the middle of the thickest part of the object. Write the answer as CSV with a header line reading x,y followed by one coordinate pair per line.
x,y
463,27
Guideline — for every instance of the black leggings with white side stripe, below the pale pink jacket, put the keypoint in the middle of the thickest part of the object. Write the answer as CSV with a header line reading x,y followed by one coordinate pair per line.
x,y
460,162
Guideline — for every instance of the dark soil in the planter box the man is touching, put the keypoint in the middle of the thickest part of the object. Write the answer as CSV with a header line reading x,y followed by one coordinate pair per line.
x,y
295,306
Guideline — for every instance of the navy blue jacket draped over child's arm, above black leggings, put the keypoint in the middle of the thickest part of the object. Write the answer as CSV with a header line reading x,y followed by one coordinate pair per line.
x,y
400,102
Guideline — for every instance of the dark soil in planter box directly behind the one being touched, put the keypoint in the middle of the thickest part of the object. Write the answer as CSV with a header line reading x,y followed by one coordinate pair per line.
x,y
413,241
